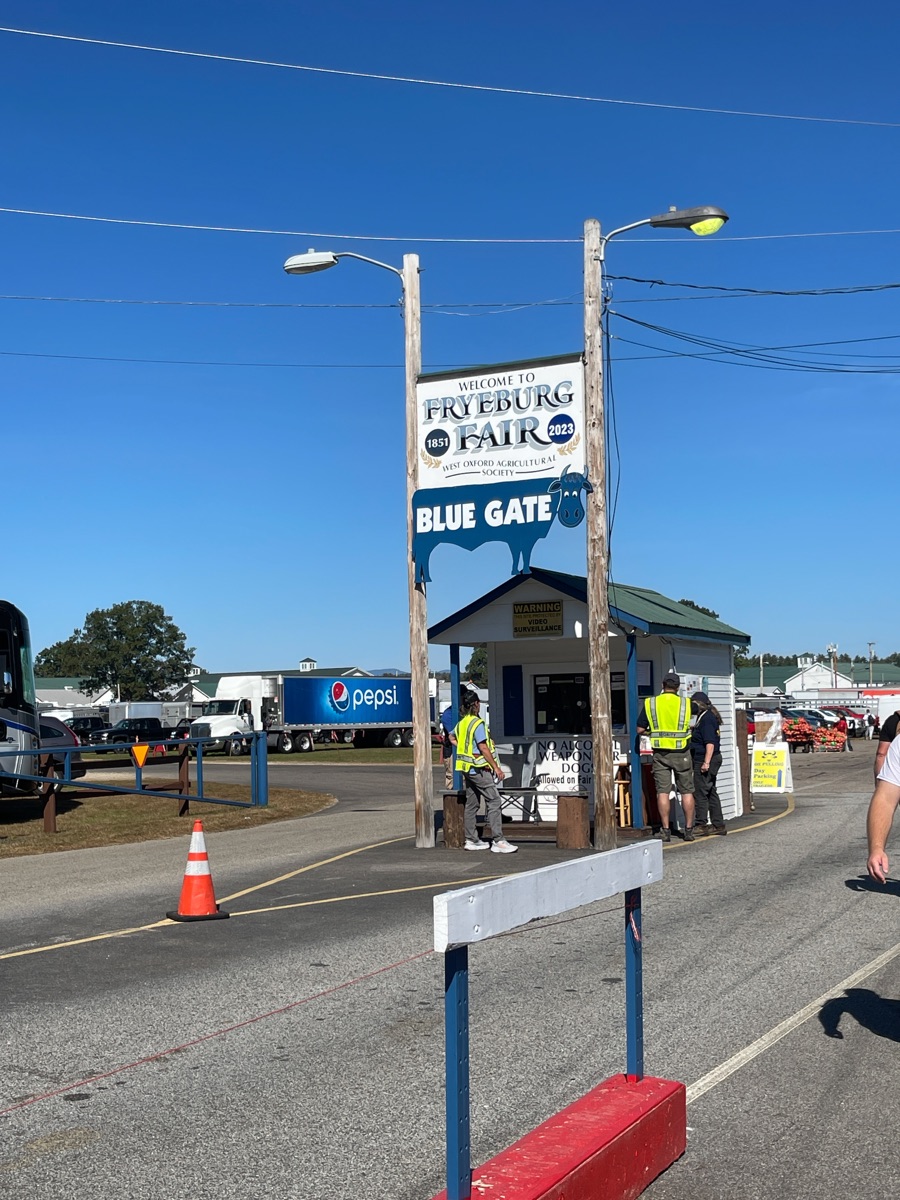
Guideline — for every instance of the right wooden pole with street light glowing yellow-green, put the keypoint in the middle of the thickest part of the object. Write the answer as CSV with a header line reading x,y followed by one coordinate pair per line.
x,y
701,221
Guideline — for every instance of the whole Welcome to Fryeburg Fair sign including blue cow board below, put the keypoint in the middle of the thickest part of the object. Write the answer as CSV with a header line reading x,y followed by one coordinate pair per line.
x,y
501,457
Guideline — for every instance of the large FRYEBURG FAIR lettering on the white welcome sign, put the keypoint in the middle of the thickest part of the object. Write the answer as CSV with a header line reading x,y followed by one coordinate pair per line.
x,y
514,394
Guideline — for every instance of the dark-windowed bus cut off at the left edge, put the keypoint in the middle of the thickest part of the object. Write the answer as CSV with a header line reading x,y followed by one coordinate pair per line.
x,y
19,706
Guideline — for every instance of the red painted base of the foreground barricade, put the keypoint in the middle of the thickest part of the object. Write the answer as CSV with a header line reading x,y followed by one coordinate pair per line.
x,y
613,1143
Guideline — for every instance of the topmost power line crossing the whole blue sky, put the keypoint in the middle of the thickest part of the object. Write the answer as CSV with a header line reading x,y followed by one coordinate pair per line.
x,y
446,83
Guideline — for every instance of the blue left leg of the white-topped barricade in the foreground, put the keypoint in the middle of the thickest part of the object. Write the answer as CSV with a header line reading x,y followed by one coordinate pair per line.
x,y
457,1025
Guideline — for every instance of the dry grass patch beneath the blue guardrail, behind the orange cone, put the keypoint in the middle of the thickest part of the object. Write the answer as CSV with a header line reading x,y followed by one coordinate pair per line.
x,y
111,820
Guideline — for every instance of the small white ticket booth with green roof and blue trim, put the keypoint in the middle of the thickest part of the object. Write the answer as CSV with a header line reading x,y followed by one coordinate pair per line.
x,y
536,631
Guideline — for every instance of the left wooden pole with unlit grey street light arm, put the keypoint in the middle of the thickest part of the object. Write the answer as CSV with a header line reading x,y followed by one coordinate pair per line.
x,y
321,261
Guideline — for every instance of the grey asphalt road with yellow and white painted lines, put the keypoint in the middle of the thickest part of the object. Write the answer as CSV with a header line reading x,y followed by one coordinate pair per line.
x,y
296,1051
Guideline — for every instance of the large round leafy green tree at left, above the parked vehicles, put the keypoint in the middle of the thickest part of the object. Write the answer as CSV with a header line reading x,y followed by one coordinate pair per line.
x,y
134,649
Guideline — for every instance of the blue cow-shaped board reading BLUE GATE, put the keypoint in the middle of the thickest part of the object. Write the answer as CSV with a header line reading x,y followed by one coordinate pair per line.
x,y
521,536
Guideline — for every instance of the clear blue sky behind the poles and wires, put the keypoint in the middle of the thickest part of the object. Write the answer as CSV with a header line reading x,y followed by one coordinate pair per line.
x,y
263,505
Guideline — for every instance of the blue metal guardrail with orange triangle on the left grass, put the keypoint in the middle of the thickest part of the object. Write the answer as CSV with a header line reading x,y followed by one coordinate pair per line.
x,y
51,781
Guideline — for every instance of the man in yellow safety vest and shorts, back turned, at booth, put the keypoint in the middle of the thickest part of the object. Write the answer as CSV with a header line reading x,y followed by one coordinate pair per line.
x,y
667,718
